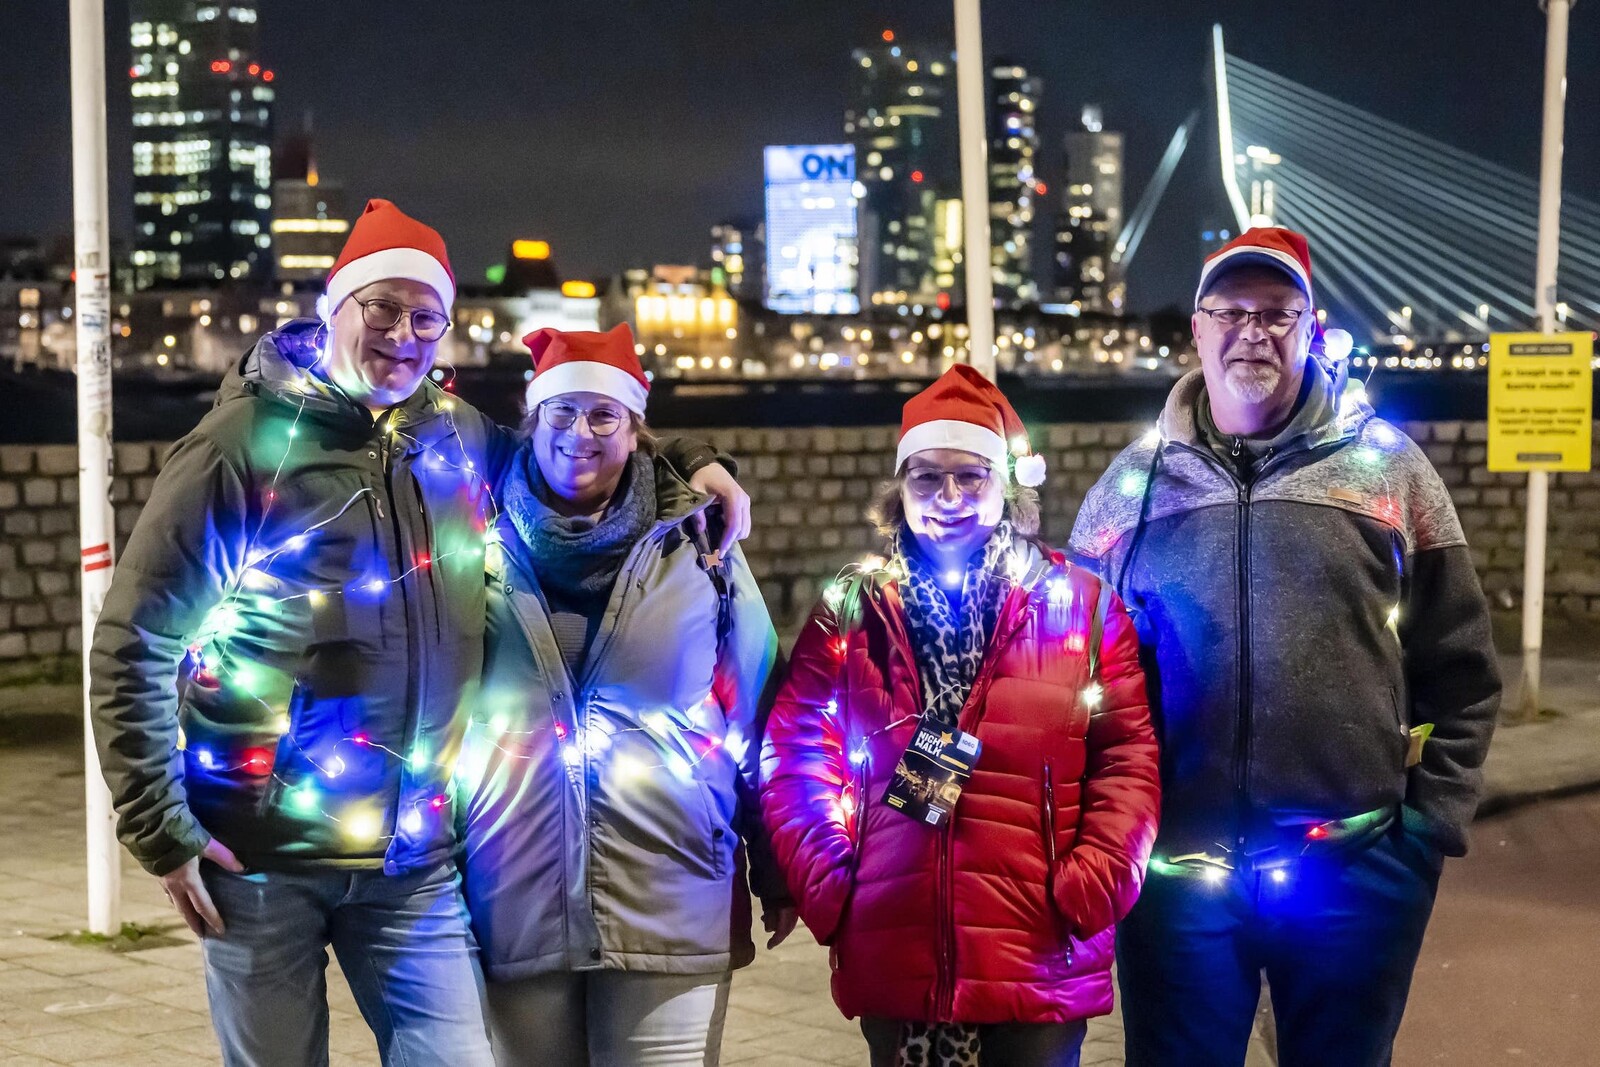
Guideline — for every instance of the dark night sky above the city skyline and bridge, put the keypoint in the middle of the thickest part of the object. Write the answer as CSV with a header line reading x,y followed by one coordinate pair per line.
x,y
622,130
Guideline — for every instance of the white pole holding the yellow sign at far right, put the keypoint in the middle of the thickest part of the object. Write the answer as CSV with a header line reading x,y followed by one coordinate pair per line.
x,y
1545,308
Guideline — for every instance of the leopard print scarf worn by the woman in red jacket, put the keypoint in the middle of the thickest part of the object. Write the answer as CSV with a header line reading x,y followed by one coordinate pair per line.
x,y
950,644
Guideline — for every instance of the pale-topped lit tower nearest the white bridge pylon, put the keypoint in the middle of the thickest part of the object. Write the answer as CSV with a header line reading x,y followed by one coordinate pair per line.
x,y
1090,220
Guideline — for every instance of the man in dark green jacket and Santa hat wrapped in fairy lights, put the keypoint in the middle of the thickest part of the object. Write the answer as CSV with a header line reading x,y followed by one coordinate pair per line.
x,y
284,665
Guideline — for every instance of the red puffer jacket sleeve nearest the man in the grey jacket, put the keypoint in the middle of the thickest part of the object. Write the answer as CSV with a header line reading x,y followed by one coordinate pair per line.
x,y
1122,793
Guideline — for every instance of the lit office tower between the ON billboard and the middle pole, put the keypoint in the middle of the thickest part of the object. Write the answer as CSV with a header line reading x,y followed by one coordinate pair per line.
x,y
902,121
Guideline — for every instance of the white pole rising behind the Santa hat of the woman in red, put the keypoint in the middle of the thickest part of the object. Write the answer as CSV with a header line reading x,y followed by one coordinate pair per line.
x,y
972,81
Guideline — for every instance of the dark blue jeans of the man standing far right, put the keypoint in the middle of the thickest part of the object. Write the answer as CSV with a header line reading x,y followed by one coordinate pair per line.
x,y
1338,940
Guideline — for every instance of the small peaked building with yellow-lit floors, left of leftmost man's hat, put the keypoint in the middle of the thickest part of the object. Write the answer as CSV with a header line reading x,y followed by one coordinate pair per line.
x,y
310,215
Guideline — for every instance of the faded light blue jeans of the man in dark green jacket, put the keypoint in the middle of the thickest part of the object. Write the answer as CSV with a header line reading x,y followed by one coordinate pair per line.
x,y
404,946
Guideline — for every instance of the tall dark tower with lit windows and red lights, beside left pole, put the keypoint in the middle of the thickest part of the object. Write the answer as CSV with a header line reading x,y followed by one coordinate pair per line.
x,y
202,145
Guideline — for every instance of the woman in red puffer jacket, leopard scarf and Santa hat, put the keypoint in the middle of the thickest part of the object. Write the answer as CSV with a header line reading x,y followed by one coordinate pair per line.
x,y
985,935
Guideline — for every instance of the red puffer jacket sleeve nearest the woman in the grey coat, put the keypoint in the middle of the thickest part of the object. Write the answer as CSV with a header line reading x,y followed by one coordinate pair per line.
x,y
804,773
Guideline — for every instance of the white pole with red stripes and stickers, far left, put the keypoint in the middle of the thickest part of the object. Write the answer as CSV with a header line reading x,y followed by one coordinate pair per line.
x,y
92,263
